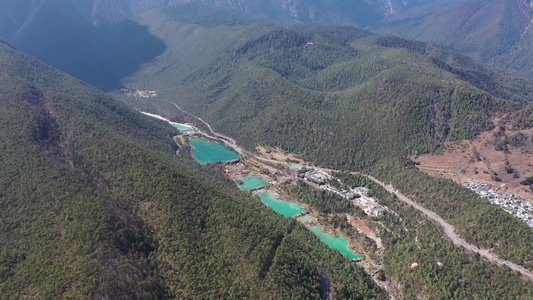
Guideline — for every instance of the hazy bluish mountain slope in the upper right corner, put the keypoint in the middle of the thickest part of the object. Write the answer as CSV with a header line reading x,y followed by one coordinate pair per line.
x,y
497,33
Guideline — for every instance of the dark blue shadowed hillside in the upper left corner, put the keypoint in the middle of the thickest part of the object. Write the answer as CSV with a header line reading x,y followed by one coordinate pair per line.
x,y
62,34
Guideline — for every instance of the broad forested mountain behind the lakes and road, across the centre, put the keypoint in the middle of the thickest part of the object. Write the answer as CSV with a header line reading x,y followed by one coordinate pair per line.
x,y
343,98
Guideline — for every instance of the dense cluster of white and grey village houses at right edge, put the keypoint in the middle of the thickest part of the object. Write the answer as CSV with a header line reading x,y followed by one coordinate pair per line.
x,y
515,205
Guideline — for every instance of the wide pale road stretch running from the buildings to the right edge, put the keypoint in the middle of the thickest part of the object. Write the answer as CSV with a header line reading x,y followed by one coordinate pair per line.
x,y
450,232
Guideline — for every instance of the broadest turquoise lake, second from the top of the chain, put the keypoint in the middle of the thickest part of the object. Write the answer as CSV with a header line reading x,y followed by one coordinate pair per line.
x,y
206,151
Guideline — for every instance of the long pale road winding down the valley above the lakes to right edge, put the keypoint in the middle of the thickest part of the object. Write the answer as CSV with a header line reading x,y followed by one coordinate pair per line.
x,y
448,229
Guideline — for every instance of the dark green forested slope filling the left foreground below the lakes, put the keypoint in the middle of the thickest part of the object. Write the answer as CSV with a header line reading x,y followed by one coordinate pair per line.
x,y
96,204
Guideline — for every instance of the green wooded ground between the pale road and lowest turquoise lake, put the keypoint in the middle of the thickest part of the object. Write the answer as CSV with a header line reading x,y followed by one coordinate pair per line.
x,y
444,271
